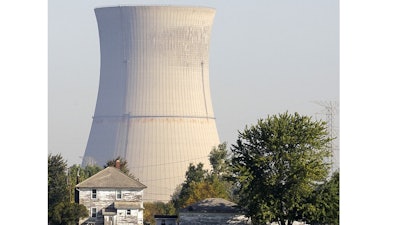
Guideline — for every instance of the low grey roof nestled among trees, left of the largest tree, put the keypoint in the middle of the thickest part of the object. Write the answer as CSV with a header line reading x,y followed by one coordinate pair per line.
x,y
212,205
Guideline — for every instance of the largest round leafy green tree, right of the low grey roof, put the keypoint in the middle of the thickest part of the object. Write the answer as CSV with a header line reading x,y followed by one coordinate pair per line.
x,y
277,163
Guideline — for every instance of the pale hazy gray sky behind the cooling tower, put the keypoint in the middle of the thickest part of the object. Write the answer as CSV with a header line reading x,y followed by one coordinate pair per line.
x,y
266,57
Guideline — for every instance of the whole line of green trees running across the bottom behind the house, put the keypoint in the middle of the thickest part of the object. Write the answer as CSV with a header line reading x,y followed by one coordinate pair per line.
x,y
277,171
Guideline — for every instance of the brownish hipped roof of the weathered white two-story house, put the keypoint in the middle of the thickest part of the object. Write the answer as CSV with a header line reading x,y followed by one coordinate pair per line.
x,y
111,177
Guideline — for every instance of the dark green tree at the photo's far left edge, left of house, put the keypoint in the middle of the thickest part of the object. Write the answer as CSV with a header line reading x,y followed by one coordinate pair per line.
x,y
57,182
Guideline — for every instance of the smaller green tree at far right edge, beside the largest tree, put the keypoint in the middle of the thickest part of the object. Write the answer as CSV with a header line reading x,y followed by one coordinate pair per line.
x,y
324,203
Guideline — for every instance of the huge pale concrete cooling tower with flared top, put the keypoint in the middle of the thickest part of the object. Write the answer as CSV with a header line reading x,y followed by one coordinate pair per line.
x,y
154,103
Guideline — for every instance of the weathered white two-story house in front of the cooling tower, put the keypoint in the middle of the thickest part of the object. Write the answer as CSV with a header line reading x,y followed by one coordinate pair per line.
x,y
112,198
